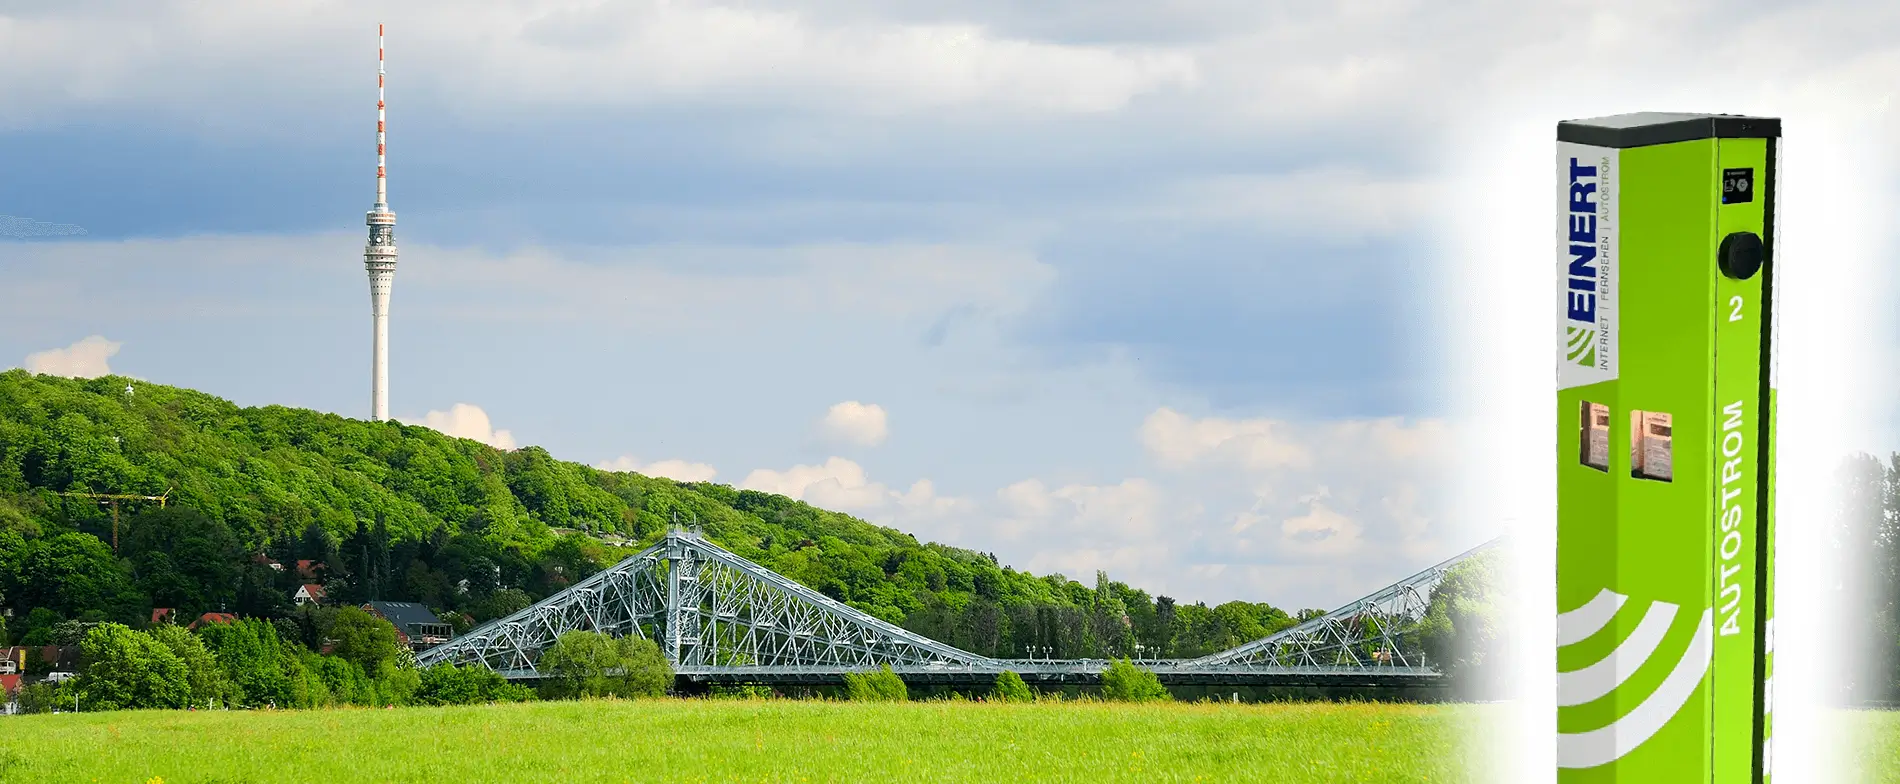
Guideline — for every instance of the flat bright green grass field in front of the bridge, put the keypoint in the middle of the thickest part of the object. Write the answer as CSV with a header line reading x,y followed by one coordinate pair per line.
x,y
753,741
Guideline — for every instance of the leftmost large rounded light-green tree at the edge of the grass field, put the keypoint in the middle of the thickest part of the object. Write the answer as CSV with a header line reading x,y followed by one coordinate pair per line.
x,y
128,669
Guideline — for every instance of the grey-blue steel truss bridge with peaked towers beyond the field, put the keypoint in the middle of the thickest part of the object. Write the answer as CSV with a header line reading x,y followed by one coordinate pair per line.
x,y
725,620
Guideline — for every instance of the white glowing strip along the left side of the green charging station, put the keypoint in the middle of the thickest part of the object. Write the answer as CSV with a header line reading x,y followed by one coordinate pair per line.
x,y
1496,346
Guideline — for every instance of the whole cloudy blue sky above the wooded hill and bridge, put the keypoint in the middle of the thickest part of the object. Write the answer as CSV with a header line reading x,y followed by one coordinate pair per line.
x,y
1169,289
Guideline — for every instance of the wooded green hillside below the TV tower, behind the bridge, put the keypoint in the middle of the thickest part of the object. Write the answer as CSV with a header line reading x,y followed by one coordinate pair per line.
x,y
390,512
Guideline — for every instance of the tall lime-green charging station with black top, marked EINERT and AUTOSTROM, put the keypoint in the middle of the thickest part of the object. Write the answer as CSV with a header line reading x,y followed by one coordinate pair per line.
x,y
1665,449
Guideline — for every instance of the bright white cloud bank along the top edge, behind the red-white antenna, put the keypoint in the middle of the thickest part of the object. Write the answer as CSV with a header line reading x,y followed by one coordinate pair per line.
x,y
487,58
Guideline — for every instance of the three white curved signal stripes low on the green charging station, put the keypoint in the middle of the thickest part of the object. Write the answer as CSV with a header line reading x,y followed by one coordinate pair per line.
x,y
1622,737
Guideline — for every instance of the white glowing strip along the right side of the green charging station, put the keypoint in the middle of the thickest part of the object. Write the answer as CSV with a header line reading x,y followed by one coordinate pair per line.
x,y
1834,348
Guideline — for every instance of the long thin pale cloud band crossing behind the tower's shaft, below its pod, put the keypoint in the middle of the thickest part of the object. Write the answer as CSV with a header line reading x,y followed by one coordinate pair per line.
x,y
672,288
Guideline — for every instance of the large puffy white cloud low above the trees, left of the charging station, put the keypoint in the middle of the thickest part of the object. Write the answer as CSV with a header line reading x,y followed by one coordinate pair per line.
x,y
1287,512
